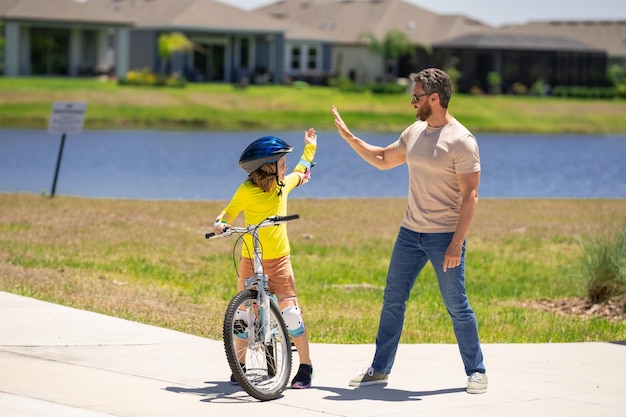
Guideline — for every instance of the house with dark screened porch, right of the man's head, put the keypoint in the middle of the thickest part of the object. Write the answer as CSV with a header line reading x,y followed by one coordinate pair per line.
x,y
521,59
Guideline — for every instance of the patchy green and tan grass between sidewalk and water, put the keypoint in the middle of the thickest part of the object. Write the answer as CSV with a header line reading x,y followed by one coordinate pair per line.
x,y
148,261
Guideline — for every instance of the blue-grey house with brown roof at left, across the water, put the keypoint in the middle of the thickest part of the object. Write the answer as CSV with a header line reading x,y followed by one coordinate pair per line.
x,y
81,37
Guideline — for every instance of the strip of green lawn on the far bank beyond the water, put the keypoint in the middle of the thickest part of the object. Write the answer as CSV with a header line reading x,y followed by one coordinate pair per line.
x,y
27,102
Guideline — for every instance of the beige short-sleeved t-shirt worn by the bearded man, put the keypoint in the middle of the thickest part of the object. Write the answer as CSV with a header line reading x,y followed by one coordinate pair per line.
x,y
434,157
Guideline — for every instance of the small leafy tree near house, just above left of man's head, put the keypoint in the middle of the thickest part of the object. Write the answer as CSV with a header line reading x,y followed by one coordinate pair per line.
x,y
391,47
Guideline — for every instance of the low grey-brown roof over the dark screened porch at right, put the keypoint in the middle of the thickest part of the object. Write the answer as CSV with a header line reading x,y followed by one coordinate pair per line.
x,y
511,41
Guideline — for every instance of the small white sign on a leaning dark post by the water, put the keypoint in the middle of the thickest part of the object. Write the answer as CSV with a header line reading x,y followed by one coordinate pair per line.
x,y
66,117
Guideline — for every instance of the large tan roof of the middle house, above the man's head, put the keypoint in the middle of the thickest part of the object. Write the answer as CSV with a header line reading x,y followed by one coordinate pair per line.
x,y
335,19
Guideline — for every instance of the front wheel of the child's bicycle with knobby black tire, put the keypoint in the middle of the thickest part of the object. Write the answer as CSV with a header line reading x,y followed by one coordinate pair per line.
x,y
267,366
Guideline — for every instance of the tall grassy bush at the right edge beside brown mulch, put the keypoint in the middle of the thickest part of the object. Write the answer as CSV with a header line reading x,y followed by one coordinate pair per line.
x,y
603,265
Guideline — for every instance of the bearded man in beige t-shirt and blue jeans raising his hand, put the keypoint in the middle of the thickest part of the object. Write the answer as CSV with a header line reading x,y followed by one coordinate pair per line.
x,y
444,173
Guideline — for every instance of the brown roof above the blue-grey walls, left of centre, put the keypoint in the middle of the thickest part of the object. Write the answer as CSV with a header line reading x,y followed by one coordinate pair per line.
x,y
204,15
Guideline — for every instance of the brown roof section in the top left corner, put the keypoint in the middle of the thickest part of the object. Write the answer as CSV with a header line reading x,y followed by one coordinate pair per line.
x,y
101,12
